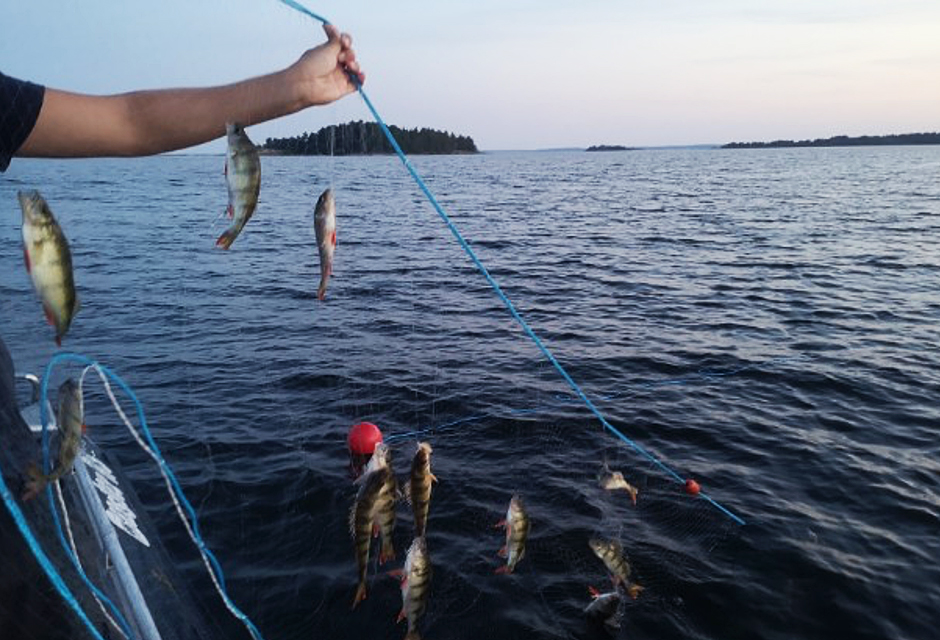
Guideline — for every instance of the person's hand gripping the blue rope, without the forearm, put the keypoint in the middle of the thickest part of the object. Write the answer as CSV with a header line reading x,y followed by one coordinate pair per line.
x,y
322,73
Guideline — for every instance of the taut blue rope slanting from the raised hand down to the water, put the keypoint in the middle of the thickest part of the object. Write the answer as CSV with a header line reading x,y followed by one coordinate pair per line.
x,y
499,292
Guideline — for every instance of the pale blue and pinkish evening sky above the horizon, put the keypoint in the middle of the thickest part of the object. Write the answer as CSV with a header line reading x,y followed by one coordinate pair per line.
x,y
524,74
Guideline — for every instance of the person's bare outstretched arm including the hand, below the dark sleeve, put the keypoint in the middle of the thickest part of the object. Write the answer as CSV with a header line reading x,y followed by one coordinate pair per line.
x,y
149,122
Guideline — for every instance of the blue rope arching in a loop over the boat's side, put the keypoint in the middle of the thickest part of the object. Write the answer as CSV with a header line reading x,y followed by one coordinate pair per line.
x,y
177,489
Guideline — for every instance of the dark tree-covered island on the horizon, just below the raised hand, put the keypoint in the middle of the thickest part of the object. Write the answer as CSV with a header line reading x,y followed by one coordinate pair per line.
x,y
366,138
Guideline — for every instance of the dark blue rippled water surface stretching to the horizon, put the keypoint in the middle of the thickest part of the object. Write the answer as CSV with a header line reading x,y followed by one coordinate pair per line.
x,y
767,321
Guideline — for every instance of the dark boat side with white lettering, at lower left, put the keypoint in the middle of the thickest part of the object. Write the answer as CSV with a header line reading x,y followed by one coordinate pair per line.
x,y
106,521
